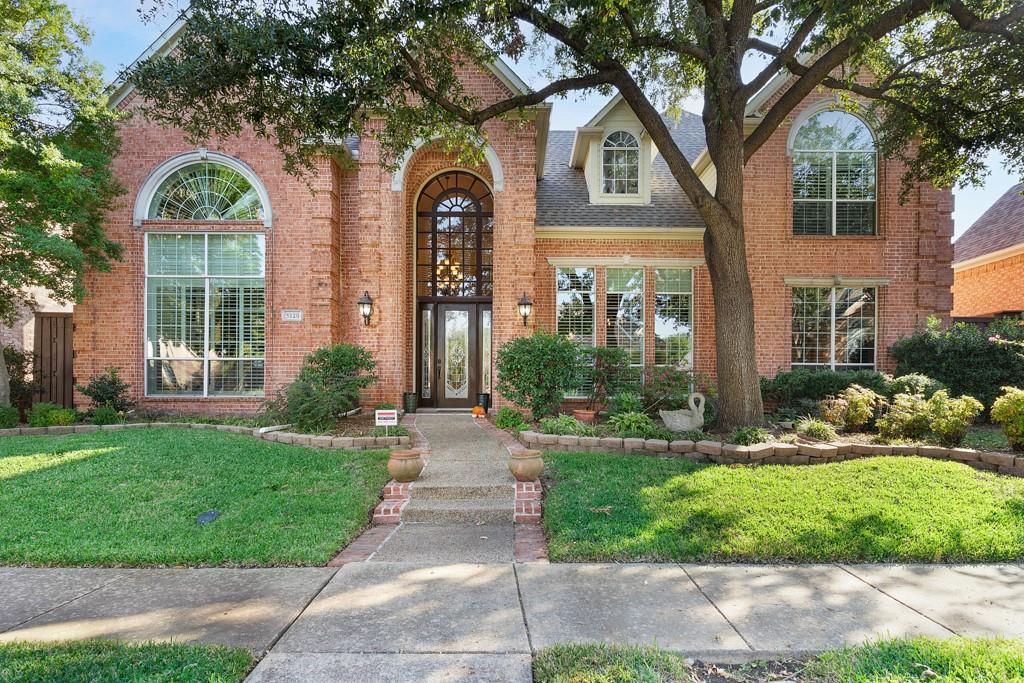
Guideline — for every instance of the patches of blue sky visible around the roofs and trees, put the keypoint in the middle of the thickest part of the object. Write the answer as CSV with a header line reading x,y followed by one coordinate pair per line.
x,y
120,36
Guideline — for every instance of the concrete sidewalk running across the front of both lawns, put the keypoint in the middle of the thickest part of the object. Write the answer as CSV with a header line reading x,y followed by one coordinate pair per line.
x,y
399,622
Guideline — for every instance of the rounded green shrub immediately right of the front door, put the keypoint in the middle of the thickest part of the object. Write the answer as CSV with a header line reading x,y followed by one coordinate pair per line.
x,y
537,371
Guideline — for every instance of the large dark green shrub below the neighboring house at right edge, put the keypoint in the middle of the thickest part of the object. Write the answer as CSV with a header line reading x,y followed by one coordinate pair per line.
x,y
967,360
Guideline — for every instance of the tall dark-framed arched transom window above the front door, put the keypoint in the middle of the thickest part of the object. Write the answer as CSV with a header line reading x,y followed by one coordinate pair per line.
x,y
455,238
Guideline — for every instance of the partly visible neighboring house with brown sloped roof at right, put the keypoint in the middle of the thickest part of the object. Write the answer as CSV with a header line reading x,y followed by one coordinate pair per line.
x,y
989,262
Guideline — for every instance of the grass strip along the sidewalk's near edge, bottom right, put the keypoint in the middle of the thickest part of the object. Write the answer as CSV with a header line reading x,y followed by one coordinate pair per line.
x,y
953,661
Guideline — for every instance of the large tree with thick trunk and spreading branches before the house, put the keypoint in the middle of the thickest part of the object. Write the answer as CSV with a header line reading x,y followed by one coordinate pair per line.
x,y
944,74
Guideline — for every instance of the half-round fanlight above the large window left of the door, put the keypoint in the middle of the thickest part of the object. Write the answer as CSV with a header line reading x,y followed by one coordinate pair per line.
x,y
206,192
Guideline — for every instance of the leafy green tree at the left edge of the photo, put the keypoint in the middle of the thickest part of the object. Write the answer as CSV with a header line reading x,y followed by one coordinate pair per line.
x,y
57,143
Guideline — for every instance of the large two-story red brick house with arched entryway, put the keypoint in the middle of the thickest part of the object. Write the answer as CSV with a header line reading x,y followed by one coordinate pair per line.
x,y
234,272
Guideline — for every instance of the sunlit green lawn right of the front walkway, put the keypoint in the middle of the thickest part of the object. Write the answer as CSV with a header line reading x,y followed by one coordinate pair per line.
x,y
637,508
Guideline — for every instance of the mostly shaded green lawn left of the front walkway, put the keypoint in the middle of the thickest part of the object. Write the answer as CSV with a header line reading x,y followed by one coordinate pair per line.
x,y
132,498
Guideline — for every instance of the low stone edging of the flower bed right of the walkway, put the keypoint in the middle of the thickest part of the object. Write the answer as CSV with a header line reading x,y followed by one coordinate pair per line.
x,y
771,454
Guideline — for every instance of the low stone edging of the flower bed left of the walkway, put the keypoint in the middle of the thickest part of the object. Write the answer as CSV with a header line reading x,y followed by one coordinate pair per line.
x,y
317,442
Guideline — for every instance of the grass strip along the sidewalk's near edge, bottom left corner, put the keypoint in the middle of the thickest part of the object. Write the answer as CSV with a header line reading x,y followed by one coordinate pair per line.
x,y
100,662
